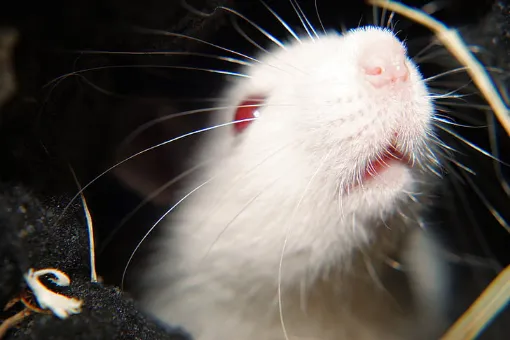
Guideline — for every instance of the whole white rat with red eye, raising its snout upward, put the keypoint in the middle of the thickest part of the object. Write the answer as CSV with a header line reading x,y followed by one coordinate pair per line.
x,y
304,207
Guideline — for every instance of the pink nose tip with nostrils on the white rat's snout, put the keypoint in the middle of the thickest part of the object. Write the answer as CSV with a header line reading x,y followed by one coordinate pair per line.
x,y
382,71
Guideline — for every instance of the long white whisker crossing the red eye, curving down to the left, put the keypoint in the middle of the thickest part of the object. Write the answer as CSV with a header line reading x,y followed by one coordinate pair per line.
x,y
144,151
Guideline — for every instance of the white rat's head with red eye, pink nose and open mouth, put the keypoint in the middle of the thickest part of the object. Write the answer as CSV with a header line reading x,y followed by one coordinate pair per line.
x,y
343,121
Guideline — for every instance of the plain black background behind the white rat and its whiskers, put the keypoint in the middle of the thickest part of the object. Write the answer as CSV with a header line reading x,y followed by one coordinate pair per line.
x,y
81,121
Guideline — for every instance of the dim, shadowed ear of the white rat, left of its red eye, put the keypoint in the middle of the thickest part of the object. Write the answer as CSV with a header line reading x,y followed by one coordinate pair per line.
x,y
149,172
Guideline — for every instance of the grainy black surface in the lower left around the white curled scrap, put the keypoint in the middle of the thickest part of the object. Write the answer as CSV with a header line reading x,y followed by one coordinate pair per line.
x,y
37,236
